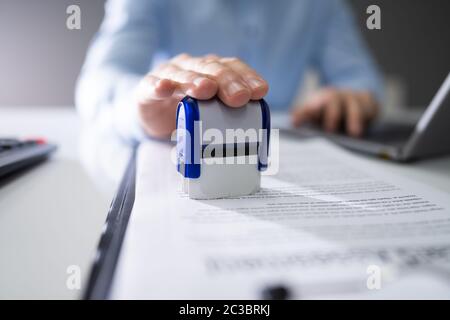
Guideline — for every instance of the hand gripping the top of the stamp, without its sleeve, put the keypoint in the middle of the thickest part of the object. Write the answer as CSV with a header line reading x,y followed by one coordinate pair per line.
x,y
159,92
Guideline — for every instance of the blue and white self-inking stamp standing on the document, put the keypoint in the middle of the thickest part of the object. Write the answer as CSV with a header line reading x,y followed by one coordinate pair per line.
x,y
221,150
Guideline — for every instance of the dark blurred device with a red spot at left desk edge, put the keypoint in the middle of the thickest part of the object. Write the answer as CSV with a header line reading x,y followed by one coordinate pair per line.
x,y
18,154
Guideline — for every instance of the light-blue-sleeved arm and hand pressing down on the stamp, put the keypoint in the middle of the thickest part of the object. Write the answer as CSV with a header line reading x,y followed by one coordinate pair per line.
x,y
116,81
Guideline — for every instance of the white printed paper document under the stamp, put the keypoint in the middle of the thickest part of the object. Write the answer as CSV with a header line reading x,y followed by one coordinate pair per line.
x,y
329,224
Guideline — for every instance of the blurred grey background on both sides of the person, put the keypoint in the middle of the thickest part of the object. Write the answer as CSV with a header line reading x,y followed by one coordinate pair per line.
x,y
40,58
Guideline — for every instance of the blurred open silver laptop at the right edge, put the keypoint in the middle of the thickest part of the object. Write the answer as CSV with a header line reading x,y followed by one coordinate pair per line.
x,y
430,136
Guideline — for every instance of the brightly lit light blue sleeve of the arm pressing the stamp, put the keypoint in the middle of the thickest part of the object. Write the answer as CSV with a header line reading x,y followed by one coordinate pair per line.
x,y
119,55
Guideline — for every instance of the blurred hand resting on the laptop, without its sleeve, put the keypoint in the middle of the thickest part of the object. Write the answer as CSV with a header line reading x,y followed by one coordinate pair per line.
x,y
333,107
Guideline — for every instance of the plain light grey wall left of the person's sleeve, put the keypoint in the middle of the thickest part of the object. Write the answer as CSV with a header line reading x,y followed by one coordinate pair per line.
x,y
39,57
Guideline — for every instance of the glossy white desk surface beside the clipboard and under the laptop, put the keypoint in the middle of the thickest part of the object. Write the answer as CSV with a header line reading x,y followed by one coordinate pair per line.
x,y
52,216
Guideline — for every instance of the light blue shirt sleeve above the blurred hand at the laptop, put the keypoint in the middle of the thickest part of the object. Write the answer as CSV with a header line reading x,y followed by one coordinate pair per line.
x,y
342,58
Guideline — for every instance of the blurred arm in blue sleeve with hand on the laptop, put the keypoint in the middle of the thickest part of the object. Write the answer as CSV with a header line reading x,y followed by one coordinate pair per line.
x,y
353,85
